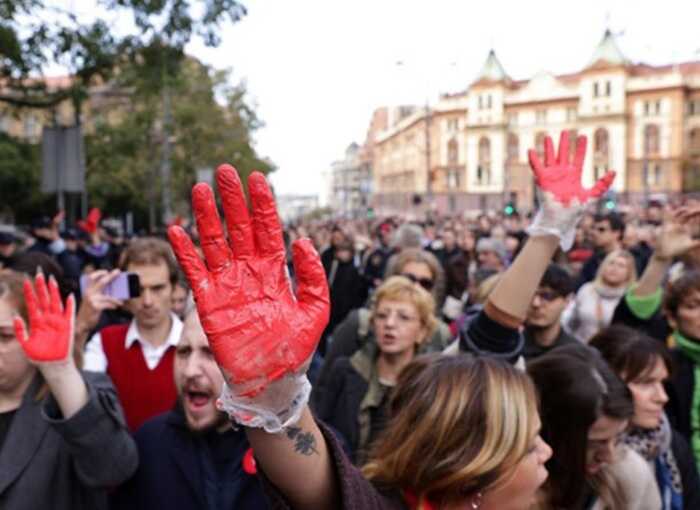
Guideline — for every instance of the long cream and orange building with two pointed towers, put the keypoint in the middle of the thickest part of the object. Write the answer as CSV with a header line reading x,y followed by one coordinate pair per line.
x,y
469,151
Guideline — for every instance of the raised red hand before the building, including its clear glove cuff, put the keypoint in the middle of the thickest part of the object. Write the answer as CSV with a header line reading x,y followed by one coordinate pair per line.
x,y
563,198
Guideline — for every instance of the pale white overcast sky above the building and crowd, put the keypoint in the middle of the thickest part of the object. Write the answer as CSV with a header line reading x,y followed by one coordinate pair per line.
x,y
317,69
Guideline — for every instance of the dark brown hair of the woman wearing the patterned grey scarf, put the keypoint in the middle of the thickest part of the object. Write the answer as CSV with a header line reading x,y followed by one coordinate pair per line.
x,y
630,352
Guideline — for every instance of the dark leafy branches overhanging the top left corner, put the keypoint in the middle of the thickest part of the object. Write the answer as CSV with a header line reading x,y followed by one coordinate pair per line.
x,y
34,33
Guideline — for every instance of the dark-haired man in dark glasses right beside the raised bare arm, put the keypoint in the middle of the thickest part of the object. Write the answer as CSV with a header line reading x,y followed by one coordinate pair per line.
x,y
543,329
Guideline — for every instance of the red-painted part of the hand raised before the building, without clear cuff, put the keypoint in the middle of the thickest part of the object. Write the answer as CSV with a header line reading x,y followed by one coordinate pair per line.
x,y
561,177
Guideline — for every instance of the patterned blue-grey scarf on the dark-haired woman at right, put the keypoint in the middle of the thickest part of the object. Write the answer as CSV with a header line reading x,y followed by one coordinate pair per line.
x,y
655,446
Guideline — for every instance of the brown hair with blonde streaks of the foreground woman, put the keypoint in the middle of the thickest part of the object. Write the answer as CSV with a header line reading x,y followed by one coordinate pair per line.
x,y
458,426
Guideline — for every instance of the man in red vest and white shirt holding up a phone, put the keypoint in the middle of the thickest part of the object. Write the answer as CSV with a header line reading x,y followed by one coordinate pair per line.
x,y
138,356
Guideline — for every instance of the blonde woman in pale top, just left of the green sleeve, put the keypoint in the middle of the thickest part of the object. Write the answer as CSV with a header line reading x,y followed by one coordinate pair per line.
x,y
594,305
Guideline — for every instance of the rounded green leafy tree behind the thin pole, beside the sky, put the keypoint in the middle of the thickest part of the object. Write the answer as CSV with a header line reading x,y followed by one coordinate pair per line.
x,y
212,122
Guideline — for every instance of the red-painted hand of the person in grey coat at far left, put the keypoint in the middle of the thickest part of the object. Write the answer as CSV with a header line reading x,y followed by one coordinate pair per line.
x,y
51,326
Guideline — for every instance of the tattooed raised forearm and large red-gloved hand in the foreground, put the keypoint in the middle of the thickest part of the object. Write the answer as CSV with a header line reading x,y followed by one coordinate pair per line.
x,y
261,334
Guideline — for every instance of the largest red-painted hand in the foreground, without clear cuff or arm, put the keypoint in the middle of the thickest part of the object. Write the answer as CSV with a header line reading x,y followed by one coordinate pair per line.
x,y
257,329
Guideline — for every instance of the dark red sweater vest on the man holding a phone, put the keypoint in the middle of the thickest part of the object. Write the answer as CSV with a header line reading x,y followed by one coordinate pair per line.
x,y
144,393
